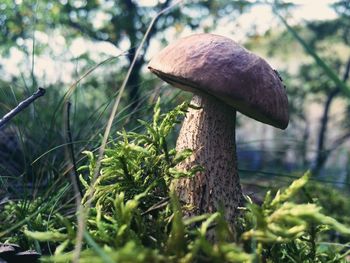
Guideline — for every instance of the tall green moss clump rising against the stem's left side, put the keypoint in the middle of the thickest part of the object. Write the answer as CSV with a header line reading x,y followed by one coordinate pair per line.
x,y
139,163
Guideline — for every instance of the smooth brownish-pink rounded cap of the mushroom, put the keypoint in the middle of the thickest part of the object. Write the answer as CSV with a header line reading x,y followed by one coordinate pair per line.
x,y
216,65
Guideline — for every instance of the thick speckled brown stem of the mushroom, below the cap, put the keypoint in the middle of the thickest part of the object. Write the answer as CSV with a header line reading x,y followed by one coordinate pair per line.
x,y
210,133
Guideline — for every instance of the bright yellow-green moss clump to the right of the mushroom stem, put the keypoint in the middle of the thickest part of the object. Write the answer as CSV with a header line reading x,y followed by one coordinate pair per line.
x,y
288,232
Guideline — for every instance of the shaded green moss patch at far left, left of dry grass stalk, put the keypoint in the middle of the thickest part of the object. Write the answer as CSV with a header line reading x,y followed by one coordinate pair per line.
x,y
21,217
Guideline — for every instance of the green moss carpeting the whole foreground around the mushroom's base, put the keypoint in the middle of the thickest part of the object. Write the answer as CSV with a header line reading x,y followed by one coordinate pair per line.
x,y
135,217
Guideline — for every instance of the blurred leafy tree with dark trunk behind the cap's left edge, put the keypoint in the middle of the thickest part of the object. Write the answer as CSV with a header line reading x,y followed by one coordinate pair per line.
x,y
119,23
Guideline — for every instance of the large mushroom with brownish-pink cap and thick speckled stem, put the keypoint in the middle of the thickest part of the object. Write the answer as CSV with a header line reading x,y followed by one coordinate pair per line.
x,y
224,78
